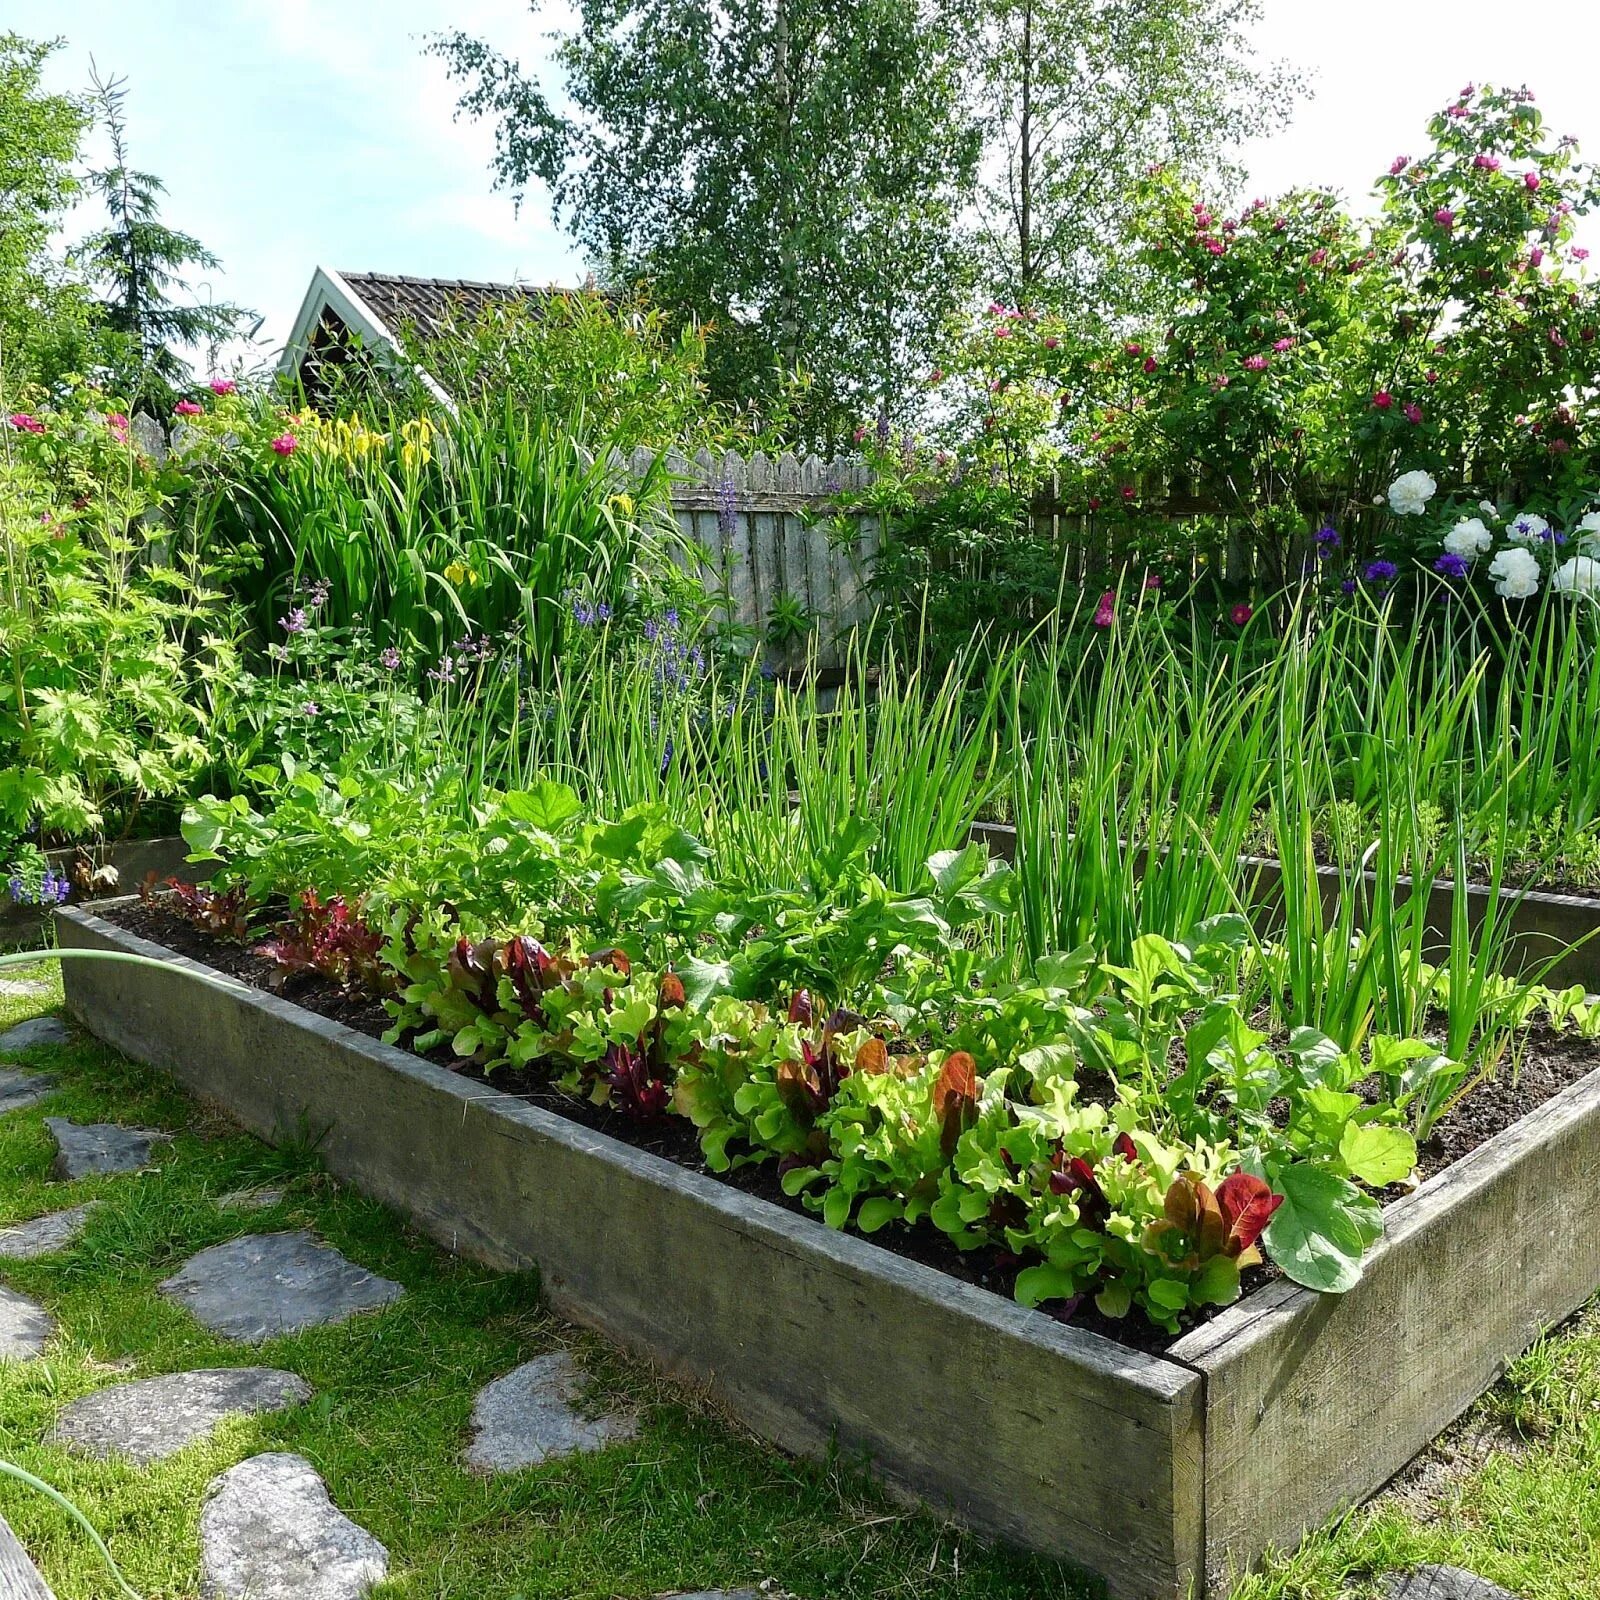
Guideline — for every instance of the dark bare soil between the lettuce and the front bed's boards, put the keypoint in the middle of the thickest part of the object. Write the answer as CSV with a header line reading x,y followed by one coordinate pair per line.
x,y
1545,1065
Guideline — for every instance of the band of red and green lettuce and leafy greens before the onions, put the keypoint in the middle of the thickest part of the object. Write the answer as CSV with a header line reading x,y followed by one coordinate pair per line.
x,y
1135,1134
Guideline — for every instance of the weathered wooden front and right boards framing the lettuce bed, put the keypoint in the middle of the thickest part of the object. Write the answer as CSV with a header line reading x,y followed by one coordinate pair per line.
x,y
1162,1473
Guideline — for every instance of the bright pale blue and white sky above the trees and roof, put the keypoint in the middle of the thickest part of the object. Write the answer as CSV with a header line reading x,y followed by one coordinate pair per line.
x,y
294,134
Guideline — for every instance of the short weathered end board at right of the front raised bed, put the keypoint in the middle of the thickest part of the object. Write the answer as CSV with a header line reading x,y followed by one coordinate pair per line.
x,y
1314,1402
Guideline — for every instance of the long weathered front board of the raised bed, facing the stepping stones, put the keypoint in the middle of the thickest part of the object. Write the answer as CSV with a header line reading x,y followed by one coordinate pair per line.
x,y
1042,1433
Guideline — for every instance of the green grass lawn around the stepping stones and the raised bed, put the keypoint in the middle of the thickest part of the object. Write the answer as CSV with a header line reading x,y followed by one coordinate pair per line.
x,y
694,1503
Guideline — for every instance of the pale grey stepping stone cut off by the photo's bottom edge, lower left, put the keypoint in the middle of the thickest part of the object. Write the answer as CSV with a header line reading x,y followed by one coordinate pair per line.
x,y
271,1532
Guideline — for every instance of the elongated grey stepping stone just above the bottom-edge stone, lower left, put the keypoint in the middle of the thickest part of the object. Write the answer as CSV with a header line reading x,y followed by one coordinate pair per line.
x,y
156,1417
